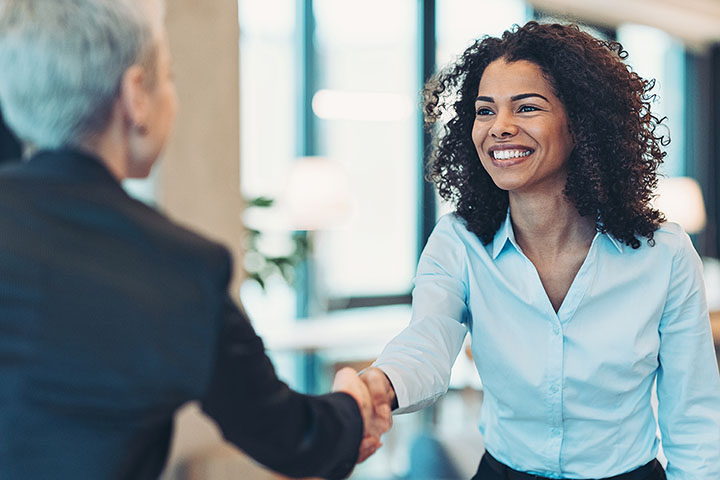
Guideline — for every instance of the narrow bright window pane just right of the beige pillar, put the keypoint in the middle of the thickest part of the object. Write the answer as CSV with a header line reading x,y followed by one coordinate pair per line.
x,y
268,94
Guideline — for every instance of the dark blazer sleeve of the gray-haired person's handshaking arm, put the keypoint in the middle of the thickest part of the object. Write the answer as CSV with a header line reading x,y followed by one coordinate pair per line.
x,y
294,434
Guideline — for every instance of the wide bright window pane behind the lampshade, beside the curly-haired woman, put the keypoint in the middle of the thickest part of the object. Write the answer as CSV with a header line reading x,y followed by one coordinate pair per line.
x,y
366,111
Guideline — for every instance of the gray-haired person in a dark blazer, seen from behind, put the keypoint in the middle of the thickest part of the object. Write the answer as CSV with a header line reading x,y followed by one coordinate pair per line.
x,y
112,316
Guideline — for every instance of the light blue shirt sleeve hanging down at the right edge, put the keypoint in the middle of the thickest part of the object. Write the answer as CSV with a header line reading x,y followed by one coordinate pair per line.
x,y
688,383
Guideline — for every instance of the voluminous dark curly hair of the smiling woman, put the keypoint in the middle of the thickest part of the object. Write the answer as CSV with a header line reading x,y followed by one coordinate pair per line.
x,y
612,170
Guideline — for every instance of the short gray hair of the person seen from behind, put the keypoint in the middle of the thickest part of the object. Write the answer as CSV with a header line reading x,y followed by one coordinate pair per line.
x,y
62,62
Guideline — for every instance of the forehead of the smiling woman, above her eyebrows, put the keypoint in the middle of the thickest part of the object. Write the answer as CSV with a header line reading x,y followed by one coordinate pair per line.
x,y
508,78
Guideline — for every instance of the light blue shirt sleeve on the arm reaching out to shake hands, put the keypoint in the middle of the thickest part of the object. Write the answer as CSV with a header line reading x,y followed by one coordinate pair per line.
x,y
419,360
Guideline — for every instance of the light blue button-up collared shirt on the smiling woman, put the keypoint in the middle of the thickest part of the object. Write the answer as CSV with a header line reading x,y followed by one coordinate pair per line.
x,y
568,394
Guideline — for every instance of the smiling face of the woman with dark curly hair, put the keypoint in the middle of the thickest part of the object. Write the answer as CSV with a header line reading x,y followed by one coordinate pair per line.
x,y
521,131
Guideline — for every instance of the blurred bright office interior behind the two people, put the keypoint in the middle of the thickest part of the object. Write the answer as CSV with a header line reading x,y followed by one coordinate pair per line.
x,y
299,144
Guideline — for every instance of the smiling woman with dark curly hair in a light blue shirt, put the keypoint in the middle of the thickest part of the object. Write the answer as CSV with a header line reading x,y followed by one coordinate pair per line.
x,y
578,295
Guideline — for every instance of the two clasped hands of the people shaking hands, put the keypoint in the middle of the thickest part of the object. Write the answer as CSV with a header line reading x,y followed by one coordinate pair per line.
x,y
375,397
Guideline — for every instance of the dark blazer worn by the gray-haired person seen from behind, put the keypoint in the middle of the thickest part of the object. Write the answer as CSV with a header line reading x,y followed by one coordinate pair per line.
x,y
112,317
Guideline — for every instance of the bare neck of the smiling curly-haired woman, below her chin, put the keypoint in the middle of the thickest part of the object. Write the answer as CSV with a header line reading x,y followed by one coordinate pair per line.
x,y
548,224
